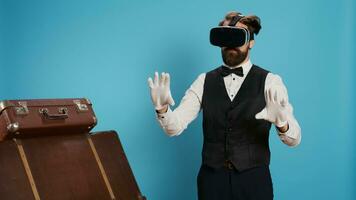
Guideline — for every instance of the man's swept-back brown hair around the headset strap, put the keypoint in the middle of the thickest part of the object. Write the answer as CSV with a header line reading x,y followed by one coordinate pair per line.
x,y
252,22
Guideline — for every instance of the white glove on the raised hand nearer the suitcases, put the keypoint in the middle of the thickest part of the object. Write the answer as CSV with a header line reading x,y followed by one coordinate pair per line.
x,y
160,91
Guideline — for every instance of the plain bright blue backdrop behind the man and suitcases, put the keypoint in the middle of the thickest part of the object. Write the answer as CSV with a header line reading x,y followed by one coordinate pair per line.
x,y
106,50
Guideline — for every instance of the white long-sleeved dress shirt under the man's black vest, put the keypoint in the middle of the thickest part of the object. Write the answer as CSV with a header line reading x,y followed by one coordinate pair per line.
x,y
175,122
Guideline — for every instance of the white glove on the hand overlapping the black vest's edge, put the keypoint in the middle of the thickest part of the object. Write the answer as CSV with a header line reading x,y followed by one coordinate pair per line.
x,y
275,110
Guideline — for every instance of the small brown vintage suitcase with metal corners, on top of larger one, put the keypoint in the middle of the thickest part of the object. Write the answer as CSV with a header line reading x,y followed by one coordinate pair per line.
x,y
45,116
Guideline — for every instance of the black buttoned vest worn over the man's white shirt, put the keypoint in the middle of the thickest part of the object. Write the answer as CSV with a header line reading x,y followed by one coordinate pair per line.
x,y
231,132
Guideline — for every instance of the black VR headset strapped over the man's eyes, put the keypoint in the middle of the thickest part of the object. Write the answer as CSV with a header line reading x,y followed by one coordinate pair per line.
x,y
230,36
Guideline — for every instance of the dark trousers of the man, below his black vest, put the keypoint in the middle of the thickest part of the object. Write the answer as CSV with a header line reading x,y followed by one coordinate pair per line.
x,y
230,184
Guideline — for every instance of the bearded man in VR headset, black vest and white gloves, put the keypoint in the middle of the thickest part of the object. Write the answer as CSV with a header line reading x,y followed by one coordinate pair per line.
x,y
239,101
